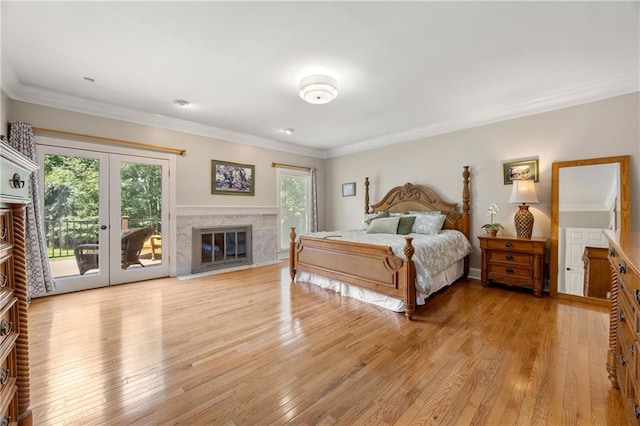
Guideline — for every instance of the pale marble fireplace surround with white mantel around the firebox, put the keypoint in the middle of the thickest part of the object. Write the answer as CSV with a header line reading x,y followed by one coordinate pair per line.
x,y
263,221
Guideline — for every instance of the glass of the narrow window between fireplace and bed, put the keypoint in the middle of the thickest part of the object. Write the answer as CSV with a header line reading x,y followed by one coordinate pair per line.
x,y
293,206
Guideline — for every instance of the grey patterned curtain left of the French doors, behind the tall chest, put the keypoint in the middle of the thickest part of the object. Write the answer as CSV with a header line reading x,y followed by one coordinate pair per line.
x,y
39,276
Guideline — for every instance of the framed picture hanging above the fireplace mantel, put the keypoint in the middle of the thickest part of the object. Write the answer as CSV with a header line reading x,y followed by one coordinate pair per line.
x,y
232,178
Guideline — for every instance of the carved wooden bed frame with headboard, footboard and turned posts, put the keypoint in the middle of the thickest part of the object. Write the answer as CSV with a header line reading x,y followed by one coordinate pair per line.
x,y
376,267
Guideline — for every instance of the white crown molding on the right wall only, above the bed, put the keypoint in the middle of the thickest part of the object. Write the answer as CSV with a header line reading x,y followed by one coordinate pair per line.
x,y
572,97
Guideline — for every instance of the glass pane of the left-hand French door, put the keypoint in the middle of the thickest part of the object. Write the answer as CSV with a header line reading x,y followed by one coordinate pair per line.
x,y
71,206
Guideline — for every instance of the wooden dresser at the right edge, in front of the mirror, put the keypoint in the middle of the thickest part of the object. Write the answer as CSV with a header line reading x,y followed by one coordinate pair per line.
x,y
624,345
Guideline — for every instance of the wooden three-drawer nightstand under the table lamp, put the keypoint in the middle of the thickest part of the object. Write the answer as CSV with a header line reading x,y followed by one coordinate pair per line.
x,y
513,261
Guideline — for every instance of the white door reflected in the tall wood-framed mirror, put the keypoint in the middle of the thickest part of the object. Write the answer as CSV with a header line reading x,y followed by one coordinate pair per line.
x,y
576,241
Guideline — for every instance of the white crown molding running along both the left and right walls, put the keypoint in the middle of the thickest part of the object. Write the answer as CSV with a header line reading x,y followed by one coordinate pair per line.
x,y
579,95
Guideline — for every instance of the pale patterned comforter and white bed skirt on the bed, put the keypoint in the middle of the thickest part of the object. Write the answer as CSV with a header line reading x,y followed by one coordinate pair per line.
x,y
438,261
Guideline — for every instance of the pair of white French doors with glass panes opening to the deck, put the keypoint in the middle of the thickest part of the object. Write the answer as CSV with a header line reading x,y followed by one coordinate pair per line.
x,y
105,215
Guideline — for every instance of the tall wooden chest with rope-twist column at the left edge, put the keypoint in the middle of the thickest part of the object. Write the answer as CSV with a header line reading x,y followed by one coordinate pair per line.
x,y
15,170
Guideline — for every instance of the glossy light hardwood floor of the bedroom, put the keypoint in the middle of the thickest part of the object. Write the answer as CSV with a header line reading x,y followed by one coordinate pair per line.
x,y
249,347
